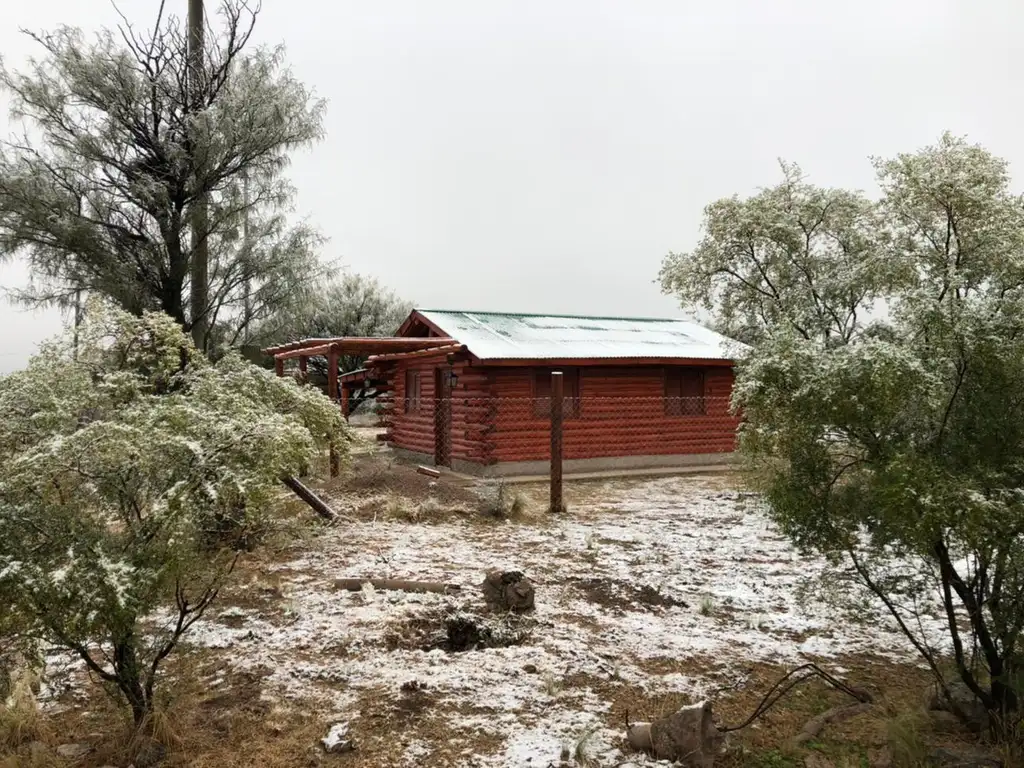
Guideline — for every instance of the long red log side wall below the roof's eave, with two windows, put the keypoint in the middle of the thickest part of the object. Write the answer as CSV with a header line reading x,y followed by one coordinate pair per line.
x,y
630,422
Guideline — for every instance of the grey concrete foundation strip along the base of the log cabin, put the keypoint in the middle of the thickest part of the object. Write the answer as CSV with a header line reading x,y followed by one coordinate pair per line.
x,y
604,466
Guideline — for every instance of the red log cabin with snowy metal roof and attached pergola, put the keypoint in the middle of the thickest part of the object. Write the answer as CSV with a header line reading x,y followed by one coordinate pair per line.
x,y
473,391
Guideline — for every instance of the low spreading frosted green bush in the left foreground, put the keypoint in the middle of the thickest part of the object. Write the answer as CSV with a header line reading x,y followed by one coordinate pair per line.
x,y
116,467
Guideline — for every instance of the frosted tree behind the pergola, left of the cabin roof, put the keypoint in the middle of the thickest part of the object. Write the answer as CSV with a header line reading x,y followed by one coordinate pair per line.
x,y
351,306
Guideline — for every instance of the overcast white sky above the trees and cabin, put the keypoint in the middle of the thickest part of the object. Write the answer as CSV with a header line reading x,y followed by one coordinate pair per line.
x,y
544,156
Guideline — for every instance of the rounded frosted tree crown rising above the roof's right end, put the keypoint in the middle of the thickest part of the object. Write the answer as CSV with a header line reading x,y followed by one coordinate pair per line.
x,y
795,257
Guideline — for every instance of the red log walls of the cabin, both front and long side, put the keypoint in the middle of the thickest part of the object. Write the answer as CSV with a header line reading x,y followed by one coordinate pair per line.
x,y
622,413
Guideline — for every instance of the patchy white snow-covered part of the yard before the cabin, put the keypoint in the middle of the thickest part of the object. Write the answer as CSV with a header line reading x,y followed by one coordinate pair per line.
x,y
644,576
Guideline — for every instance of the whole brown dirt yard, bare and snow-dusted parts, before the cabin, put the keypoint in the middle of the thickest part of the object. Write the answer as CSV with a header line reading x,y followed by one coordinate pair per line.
x,y
651,594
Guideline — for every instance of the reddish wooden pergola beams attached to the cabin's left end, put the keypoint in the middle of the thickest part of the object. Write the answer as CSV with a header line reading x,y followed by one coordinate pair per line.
x,y
334,349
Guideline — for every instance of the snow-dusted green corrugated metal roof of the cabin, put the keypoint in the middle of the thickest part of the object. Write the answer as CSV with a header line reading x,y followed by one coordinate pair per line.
x,y
502,336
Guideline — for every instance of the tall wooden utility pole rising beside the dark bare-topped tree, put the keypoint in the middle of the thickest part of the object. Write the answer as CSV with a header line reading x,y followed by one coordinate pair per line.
x,y
199,273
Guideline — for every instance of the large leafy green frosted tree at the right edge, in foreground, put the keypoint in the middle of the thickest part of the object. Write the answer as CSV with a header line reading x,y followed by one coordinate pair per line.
x,y
898,449
